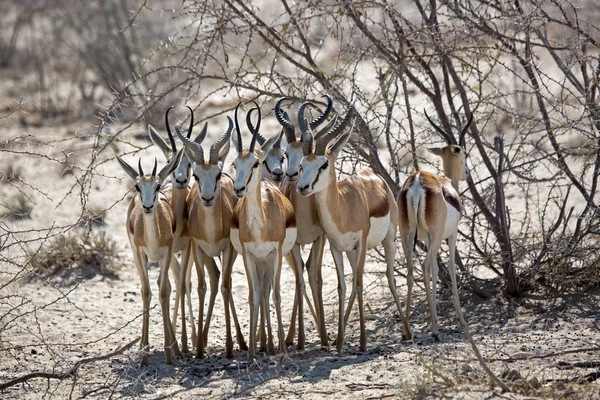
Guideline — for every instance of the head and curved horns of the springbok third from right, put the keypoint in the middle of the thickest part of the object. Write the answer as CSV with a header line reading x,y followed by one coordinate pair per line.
x,y
293,150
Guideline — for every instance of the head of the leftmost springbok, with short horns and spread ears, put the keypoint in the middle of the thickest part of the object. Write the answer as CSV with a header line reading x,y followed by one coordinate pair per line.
x,y
148,185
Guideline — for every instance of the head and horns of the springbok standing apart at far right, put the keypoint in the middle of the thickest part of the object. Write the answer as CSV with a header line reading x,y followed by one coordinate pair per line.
x,y
453,154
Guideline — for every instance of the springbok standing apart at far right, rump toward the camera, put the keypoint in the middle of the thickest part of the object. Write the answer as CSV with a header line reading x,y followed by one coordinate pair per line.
x,y
430,209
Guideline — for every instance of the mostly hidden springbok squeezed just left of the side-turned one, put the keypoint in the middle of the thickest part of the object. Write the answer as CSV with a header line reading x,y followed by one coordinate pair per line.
x,y
309,227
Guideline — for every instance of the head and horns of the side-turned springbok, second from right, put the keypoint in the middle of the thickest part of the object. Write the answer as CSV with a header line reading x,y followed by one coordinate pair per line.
x,y
317,166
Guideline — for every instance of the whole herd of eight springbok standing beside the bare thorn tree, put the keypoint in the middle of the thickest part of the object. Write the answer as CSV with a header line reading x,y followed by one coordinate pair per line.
x,y
265,214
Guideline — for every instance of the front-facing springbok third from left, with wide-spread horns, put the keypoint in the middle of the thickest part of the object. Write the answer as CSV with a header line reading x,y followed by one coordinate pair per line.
x,y
210,208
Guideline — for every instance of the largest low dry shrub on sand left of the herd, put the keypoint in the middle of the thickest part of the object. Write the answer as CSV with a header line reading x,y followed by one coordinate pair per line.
x,y
74,256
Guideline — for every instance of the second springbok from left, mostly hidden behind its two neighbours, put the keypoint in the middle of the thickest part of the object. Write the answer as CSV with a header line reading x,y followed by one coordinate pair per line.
x,y
177,194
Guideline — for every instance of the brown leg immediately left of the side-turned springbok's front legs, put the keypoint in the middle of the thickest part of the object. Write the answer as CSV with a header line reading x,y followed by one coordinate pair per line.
x,y
315,280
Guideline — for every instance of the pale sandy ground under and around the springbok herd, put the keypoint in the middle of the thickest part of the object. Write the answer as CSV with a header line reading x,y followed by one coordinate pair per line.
x,y
101,313
